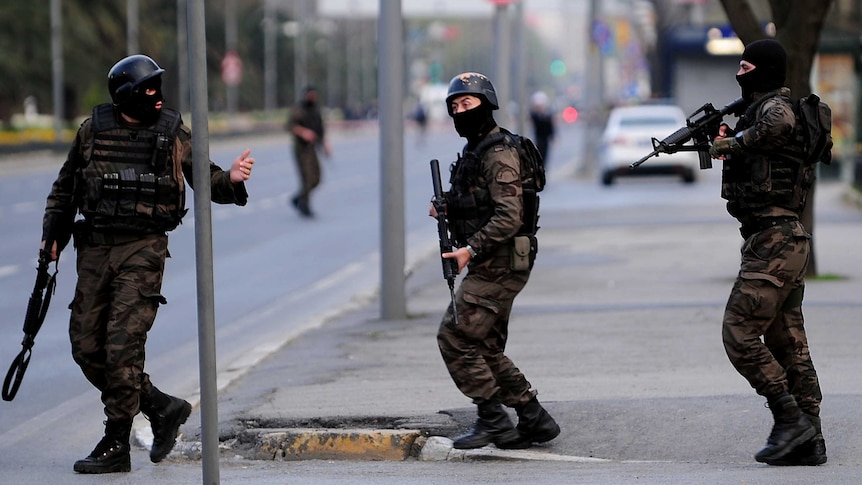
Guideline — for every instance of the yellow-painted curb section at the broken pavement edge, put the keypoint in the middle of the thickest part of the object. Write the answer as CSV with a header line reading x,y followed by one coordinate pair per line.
x,y
334,444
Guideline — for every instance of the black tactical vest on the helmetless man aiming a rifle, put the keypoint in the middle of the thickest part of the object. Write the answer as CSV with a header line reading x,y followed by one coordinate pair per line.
x,y
754,180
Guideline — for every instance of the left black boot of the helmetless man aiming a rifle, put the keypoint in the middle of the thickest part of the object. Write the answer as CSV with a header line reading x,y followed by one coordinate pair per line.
x,y
790,430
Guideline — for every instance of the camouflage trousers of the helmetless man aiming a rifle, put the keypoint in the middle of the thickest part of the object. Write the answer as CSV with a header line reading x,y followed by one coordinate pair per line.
x,y
763,328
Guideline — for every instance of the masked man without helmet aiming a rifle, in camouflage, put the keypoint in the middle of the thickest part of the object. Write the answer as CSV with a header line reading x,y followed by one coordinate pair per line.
x,y
765,180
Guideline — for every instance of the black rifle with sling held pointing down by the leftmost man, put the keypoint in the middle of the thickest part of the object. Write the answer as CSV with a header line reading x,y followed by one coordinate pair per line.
x,y
37,308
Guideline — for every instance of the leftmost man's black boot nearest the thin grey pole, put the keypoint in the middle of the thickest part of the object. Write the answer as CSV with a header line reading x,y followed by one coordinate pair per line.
x,y
166,414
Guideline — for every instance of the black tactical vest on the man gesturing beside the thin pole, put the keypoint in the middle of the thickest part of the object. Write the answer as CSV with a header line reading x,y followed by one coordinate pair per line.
x,y
132,183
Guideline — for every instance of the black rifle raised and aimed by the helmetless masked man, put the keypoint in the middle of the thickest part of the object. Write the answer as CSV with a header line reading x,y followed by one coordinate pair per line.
x,y
702,126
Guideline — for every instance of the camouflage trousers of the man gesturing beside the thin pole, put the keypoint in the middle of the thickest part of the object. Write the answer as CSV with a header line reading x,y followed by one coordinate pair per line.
x,y
115,304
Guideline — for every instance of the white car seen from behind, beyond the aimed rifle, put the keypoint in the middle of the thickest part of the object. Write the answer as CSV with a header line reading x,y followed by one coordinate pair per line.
x,y
628,137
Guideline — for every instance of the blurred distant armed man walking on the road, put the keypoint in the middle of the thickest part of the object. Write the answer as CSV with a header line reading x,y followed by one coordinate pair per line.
x,y
305,123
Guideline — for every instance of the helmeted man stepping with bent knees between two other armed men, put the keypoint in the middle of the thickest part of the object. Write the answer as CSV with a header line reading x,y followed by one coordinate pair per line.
x,y
485,209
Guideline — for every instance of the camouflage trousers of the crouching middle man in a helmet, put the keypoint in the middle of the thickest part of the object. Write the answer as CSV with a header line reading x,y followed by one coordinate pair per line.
x,y
473,351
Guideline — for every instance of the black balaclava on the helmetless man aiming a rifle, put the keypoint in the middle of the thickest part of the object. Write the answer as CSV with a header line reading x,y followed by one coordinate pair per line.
x,y
770,68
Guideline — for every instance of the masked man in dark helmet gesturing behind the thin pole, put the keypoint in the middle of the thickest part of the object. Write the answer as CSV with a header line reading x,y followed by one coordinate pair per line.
x,y
125,174
